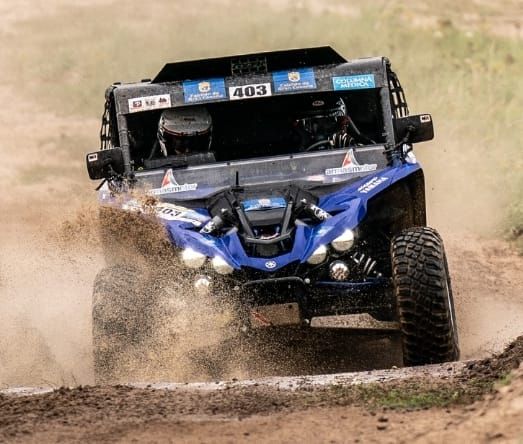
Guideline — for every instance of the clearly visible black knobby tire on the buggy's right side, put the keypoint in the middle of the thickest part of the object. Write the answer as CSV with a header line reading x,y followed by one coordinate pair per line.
x,y
424,299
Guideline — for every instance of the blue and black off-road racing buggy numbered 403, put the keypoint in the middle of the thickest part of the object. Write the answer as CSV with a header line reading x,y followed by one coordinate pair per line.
x,y
287,185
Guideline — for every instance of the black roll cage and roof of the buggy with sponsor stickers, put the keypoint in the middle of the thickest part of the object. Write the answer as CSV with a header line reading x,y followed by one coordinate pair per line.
x,y
132,110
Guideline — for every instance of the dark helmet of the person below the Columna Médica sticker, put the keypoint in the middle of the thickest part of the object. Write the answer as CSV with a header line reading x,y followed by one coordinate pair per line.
x,y
324,117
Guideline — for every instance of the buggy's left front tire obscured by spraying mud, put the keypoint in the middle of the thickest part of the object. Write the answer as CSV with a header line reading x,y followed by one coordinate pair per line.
x,y
121,314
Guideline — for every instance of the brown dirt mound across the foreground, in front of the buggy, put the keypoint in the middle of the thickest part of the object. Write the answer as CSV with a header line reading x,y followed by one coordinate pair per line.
x,y
264,413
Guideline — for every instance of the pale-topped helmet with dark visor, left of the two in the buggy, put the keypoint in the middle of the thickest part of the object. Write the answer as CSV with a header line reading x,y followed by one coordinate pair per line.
x,y
185,131
